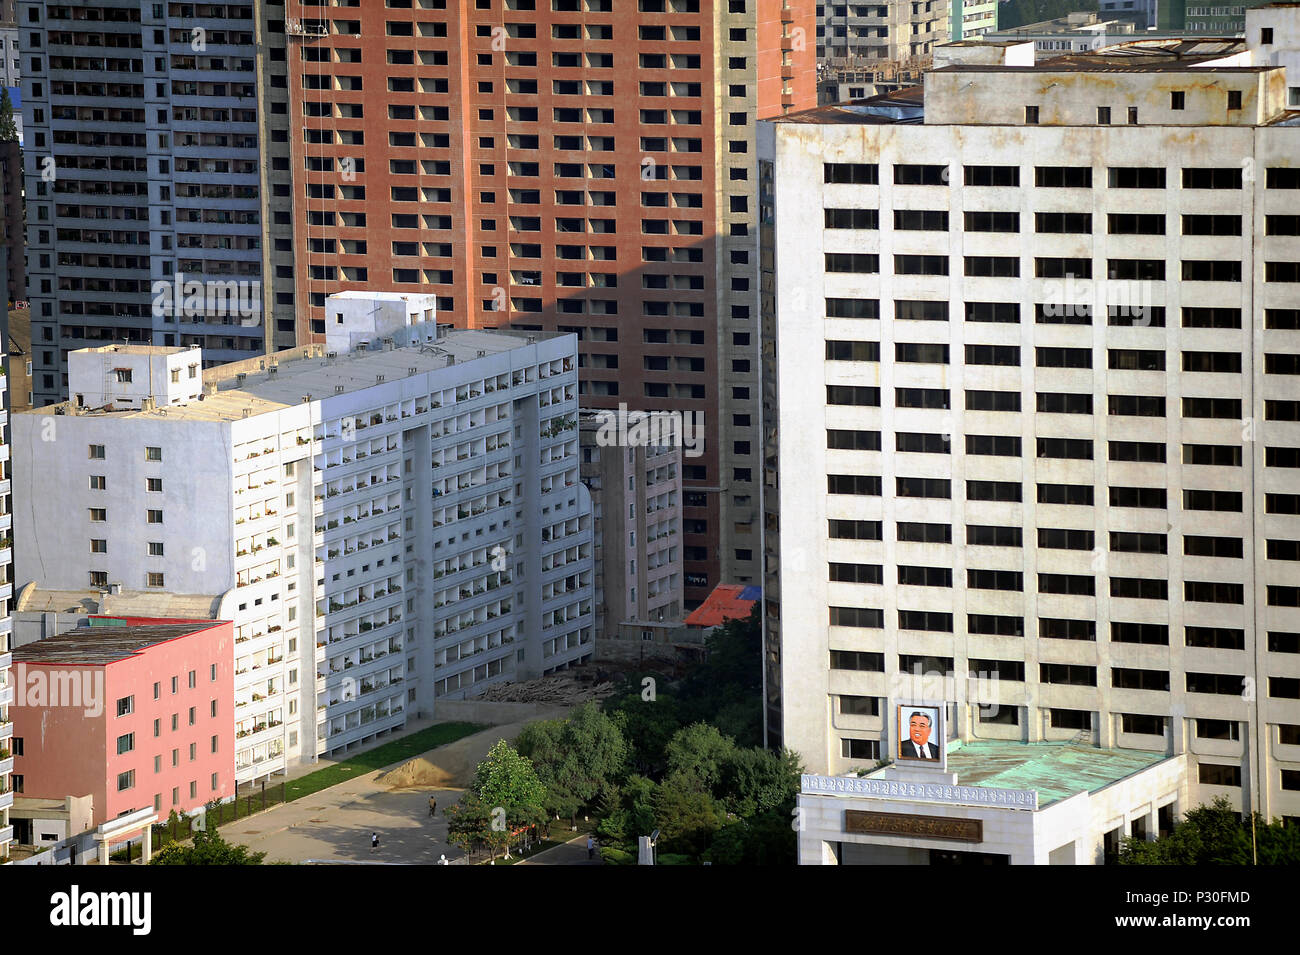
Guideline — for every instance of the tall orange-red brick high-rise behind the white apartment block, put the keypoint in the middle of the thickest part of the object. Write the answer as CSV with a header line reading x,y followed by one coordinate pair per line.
x,y
561,166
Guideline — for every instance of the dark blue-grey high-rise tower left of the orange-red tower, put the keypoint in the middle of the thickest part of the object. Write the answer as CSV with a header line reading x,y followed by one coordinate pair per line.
x,y
157,138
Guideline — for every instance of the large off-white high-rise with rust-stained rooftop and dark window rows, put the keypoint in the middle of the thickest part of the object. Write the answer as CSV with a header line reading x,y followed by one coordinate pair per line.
x,y
1054,444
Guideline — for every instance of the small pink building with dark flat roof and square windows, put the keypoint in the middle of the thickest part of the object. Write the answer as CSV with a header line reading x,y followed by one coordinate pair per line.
x,y
136,715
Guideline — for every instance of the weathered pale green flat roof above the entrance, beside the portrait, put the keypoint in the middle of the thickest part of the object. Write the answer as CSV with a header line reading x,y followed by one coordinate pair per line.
x,y
1058,771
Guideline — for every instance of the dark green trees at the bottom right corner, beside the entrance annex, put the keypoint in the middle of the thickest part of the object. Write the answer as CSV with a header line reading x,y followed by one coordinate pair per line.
x,y
1217,835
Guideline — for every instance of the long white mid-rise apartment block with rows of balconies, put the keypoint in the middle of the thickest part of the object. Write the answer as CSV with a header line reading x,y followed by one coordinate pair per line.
x,y
387,528
